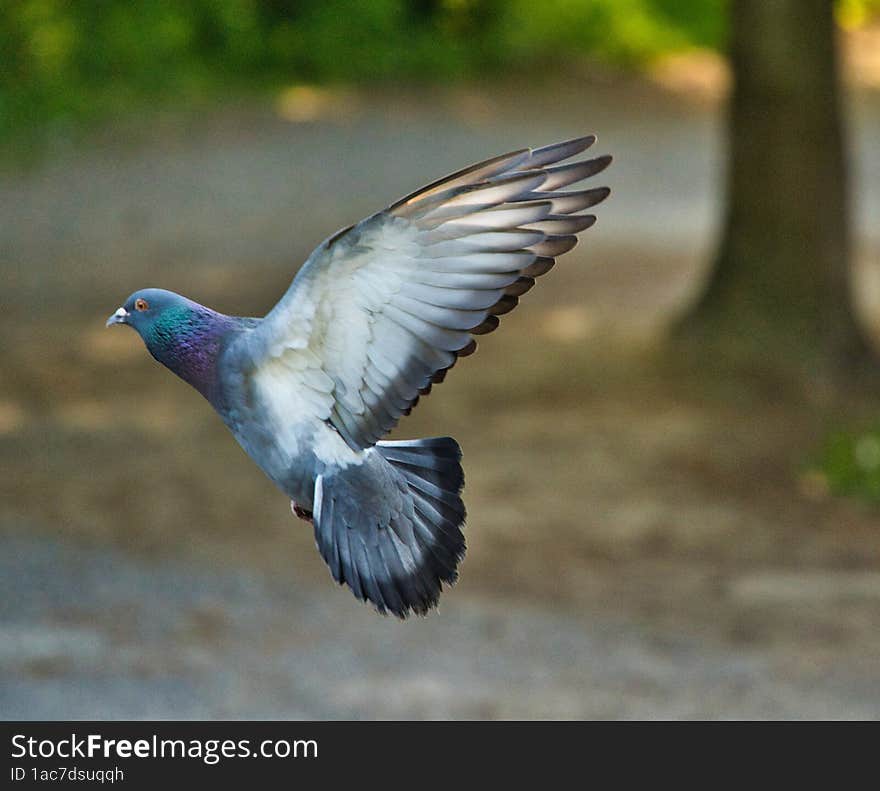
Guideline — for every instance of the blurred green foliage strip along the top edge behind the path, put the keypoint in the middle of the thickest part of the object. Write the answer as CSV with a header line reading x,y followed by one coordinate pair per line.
x,y
74,60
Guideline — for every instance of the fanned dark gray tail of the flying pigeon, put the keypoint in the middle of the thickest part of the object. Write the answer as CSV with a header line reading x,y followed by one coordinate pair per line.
x,y
391,529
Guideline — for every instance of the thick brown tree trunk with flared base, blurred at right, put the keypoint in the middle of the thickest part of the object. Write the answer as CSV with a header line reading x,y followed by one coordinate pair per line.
x,y
782,272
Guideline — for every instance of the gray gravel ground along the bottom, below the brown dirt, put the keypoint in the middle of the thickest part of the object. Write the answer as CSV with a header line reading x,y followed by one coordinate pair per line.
x,y
106,636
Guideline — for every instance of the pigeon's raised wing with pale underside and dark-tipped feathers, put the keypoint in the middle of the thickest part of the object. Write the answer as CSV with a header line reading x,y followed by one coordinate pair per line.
x,y
381,310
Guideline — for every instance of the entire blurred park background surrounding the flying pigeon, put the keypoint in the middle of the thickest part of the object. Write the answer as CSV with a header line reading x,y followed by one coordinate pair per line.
x,y
672,447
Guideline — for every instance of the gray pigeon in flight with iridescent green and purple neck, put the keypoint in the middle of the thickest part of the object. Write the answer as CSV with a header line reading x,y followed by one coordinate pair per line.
x,y
378,314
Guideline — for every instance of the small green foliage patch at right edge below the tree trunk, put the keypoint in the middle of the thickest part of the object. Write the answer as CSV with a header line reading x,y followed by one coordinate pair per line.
x,y
849,465
